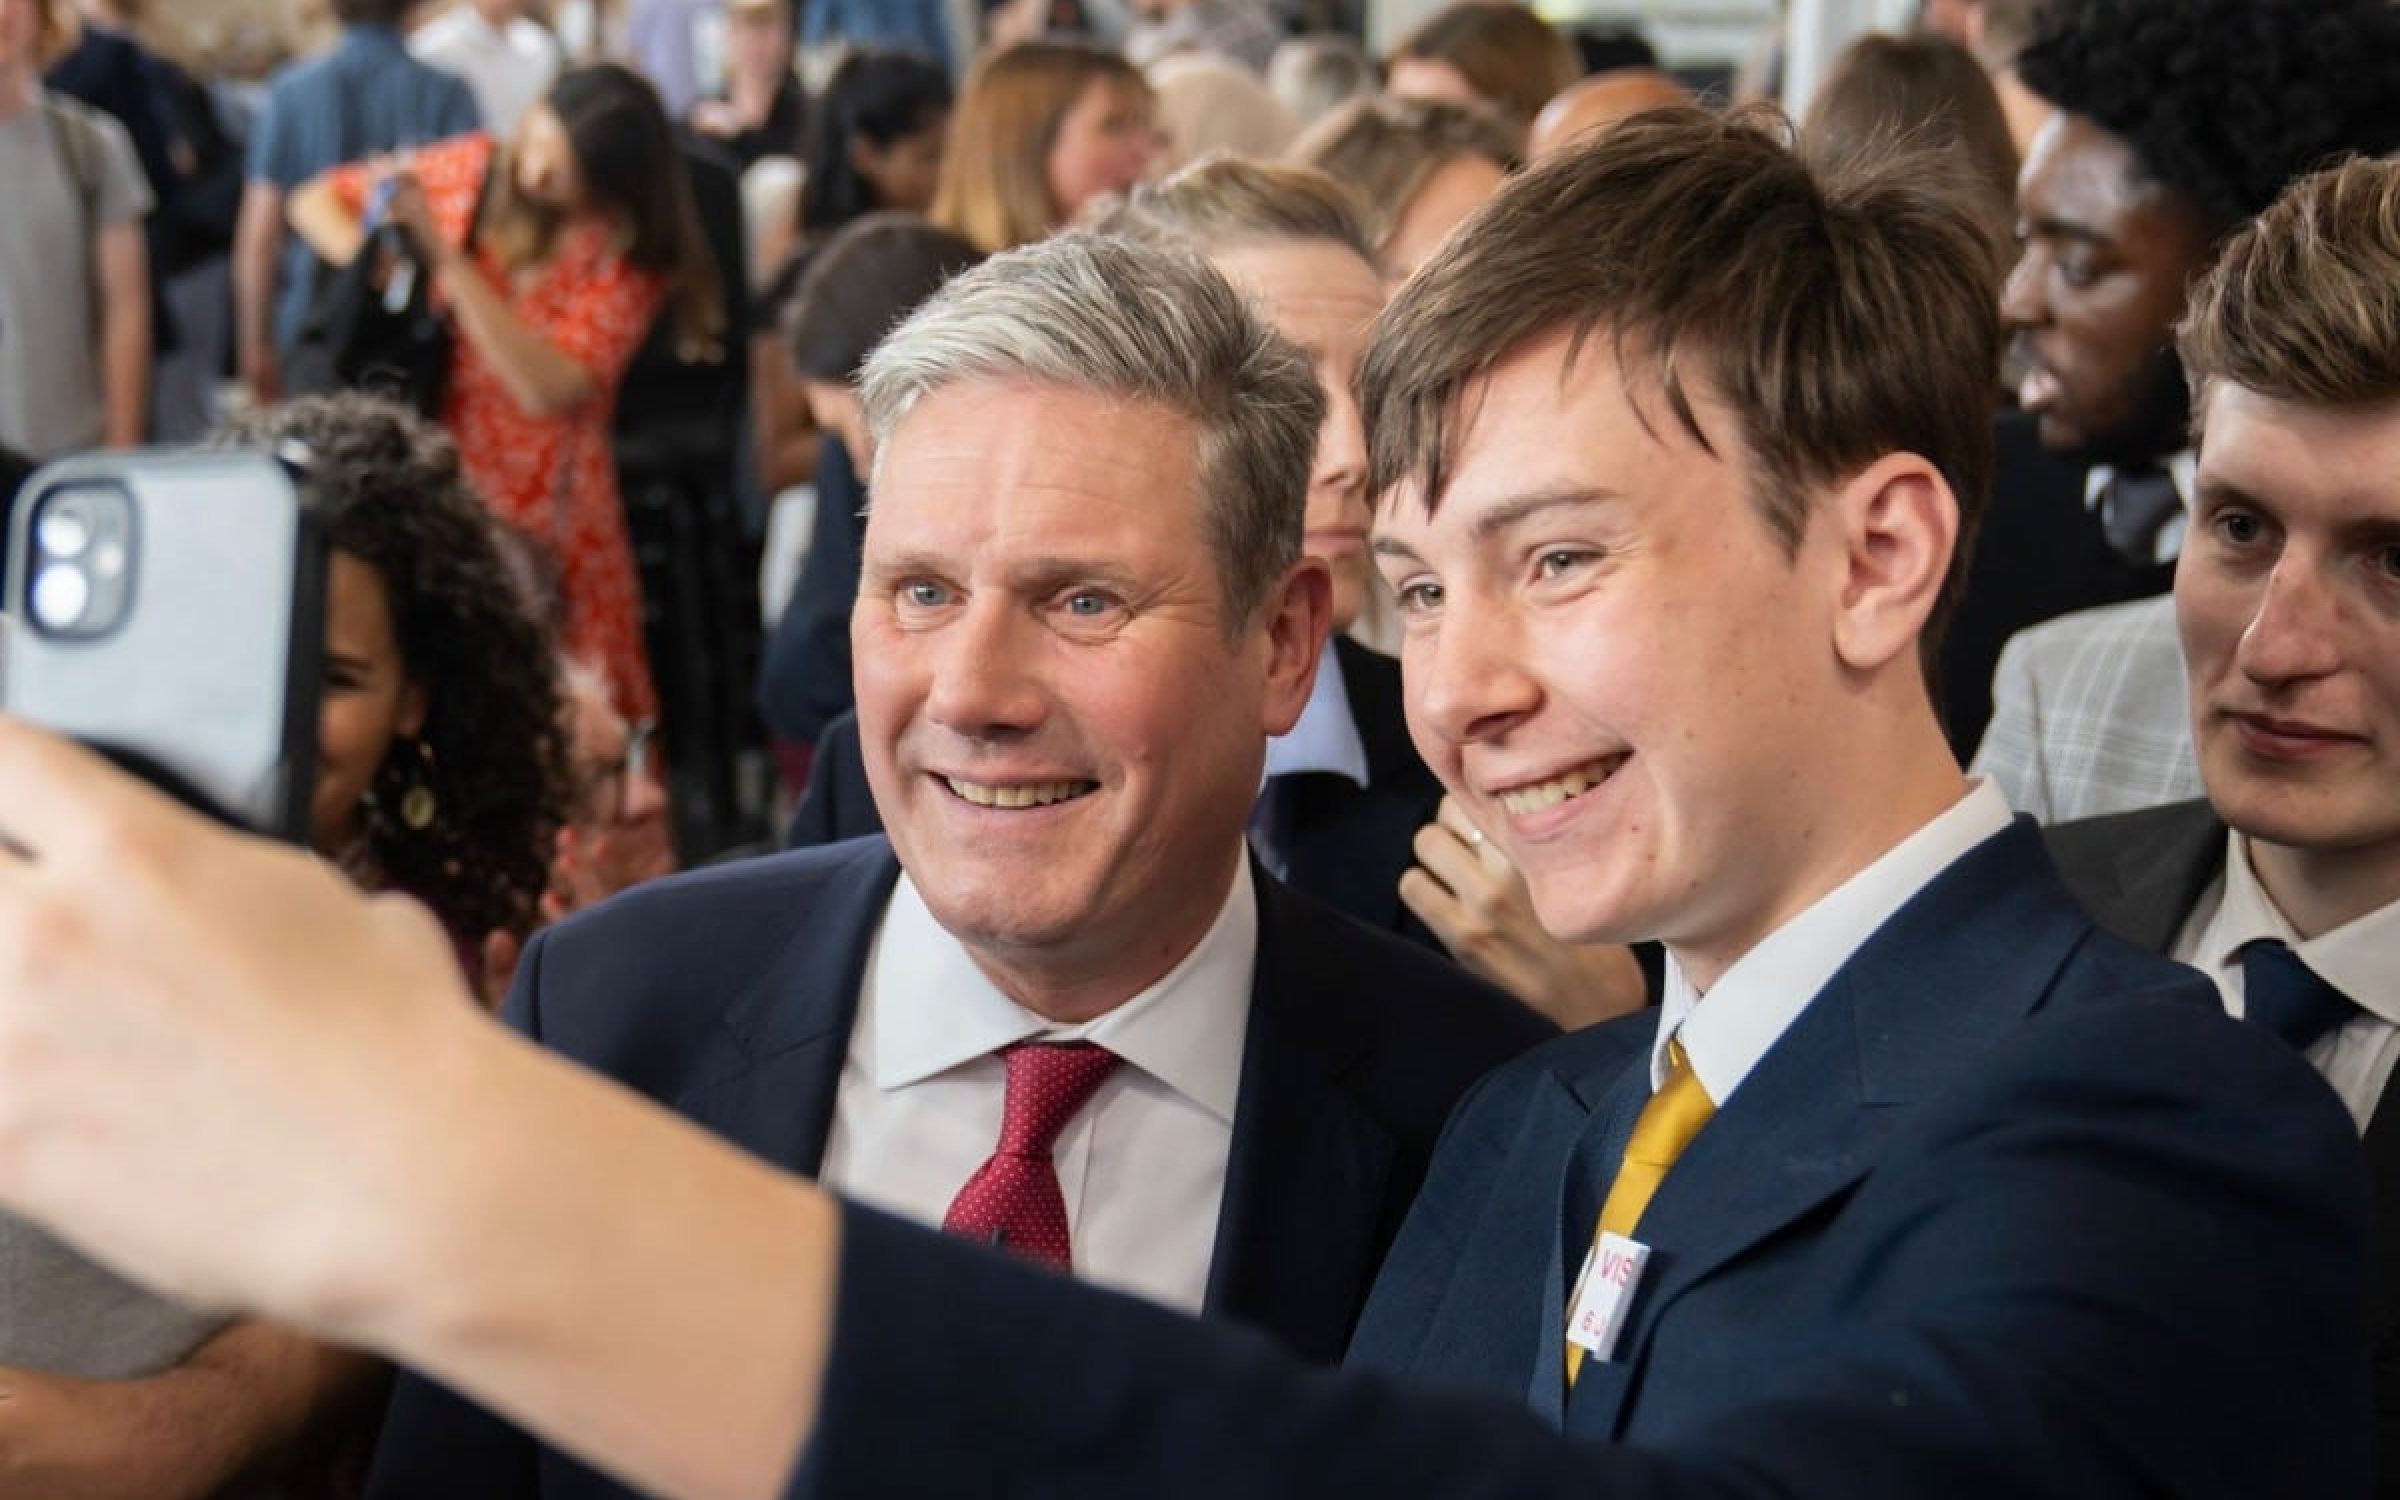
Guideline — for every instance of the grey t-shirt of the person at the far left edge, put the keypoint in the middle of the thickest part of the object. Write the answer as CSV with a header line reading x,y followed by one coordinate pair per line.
x,y
49,328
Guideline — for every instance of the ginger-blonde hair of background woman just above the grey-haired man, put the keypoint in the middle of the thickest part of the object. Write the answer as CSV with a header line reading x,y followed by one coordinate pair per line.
x,y
995,169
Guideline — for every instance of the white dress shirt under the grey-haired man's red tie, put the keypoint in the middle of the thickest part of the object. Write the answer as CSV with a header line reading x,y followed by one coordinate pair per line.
x,y
1141,1168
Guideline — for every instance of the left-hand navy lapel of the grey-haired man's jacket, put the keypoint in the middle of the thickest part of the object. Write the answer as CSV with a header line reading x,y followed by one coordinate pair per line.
x,y
779,1052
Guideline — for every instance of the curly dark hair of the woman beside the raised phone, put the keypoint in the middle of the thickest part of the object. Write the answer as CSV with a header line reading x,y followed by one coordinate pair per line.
x,y
397,500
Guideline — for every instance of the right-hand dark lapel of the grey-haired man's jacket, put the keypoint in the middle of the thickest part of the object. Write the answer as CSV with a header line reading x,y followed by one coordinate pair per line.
x,y
1309,1168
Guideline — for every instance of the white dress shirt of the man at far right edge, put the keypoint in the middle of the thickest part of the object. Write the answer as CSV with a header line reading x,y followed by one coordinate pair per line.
x,y
2358,959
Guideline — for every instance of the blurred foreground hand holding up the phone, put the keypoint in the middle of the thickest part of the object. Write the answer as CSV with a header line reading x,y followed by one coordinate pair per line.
x,y
210,1045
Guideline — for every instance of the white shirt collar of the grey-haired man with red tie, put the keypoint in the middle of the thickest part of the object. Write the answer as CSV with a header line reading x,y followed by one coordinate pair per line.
x,y
932,1009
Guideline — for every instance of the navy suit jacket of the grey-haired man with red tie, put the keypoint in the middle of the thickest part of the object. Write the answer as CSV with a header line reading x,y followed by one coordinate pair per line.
x,y
728,995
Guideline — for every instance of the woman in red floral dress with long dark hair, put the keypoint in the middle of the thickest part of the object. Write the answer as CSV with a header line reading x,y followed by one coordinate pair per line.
x,y
582,234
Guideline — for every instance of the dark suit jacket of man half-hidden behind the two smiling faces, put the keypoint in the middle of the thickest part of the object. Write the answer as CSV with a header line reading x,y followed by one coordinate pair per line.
x,y
1345,844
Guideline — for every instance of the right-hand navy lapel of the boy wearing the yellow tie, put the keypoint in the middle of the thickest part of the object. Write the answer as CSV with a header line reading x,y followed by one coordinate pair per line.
x,y
1945,978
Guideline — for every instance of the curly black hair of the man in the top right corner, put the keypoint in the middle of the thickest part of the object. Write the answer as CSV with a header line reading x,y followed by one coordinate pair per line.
x,y
2226,100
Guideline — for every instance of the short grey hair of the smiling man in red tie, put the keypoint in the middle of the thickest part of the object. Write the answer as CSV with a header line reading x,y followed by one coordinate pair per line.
x,y
1132,323
